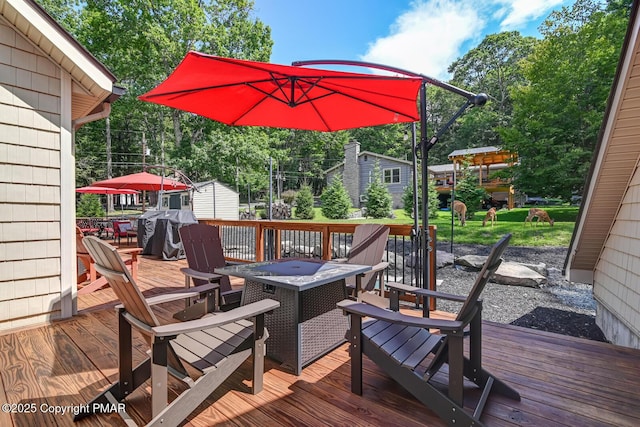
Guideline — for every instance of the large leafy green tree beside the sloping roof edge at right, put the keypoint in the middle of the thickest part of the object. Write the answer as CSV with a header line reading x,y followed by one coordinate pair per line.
x,y
558,113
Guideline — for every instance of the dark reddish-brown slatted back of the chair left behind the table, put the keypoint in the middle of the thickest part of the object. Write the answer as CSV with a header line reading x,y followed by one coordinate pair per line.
x,y
203,249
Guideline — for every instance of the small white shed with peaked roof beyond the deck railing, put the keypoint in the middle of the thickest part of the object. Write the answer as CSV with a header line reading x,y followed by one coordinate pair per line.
x,y
212,199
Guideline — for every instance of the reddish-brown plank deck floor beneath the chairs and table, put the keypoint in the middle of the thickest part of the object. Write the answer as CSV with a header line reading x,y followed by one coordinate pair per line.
x,y
562,380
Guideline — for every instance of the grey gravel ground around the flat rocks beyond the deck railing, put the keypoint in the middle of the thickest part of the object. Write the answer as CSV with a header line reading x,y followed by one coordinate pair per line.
x,y
560,306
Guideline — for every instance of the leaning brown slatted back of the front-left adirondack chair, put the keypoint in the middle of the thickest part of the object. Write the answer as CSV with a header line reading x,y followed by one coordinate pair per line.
x,y
110,265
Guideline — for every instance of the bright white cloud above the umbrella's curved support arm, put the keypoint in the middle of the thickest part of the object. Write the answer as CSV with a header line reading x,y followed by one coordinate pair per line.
x,y
428,38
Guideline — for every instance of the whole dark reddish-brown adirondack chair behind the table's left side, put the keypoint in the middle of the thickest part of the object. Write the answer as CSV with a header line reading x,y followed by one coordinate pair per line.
x,y
203,249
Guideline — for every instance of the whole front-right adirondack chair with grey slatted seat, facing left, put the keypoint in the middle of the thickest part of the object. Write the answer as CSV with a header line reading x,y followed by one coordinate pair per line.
x,y
408,352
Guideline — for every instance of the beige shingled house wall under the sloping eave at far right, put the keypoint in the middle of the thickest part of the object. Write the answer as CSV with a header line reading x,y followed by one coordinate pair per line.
x,y
616,284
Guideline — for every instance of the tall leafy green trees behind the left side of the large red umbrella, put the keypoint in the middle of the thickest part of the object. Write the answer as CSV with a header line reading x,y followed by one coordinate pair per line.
x,y
141,43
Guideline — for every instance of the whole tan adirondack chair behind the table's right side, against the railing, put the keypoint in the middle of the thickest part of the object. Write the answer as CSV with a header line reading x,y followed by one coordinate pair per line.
x,y
368,246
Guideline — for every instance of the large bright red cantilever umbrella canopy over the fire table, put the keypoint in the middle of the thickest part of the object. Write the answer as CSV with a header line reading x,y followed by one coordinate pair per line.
x,y
249,93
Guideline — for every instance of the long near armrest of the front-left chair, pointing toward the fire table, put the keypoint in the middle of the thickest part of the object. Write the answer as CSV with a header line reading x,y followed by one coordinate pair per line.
x,y
219,319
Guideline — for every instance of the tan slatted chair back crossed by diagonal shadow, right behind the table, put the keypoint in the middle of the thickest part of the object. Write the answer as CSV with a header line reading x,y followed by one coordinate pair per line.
x,y
368,246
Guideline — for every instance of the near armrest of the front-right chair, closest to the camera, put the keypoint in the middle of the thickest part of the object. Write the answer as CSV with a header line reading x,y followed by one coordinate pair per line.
x,y
366,310
